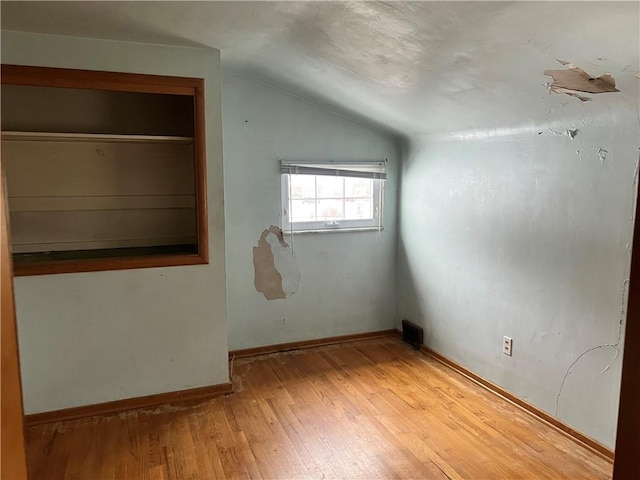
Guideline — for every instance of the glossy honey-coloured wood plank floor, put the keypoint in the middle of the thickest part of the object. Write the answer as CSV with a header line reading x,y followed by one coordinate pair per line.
x,y
369,409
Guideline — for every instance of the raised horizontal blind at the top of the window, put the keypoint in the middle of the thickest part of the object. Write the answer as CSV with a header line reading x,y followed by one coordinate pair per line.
x,y
375,170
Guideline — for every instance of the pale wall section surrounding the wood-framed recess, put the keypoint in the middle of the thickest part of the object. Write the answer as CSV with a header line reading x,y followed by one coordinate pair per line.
x,y
87,338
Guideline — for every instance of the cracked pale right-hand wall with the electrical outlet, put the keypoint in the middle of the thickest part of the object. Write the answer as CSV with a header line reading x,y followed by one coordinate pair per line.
x,y
517,231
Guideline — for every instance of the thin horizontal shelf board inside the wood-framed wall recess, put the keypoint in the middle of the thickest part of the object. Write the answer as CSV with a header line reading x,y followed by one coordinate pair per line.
x,y
92,137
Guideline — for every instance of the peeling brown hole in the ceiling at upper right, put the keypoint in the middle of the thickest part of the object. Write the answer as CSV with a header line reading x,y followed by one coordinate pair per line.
x,y
574,80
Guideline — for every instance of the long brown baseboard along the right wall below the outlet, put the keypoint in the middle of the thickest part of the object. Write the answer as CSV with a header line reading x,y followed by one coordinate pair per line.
x,y
580,438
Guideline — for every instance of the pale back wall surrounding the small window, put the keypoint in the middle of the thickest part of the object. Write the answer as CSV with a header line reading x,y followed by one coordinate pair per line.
x,y
348,280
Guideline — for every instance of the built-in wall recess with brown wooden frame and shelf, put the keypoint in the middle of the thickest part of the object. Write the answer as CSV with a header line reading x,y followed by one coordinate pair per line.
x,y
105,171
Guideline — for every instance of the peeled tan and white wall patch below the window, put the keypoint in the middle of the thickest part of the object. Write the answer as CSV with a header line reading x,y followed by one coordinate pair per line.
x,y
275,266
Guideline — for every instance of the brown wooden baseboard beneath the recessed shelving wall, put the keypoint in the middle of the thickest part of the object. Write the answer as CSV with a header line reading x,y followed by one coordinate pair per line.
x,y
180,396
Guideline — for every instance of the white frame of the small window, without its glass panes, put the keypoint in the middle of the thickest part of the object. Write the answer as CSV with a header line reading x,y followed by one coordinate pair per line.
x,y
372,170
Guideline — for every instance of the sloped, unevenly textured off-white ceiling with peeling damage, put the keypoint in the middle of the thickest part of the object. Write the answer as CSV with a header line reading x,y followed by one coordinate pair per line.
x,y
410,67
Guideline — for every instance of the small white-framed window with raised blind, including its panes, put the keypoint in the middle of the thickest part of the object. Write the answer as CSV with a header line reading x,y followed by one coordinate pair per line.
x,y
332,196
